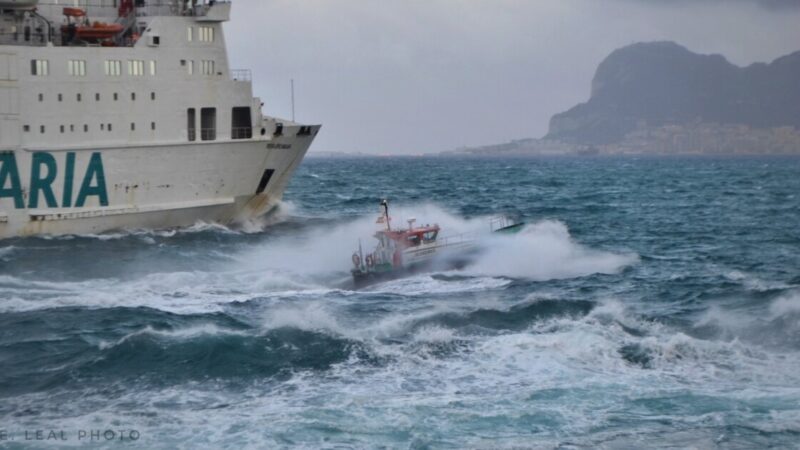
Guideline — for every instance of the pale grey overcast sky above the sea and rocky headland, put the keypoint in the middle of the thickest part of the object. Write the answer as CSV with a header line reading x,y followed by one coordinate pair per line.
x,y
414,76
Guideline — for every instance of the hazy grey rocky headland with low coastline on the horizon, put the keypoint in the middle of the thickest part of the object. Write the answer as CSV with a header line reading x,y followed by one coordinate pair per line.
x,y
659,98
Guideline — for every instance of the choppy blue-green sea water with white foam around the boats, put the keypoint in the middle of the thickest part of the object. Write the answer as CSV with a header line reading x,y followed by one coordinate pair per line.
x,y
649,303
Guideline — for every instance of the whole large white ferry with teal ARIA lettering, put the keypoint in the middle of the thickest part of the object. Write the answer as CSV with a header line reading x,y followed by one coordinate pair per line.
x,y
125,114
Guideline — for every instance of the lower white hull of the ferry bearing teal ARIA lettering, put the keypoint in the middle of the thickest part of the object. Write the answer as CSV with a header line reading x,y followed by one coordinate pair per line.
x,y
91,190
